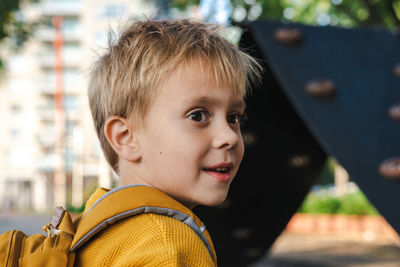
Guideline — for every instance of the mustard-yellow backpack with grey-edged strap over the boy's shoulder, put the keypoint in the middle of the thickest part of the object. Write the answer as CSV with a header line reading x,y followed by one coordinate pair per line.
x,y
63,240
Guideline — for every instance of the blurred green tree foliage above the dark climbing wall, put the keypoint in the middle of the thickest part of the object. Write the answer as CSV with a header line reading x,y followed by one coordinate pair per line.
x,y
345,13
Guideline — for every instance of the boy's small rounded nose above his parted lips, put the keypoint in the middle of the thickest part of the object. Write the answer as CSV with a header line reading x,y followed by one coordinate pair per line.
x,y
226,137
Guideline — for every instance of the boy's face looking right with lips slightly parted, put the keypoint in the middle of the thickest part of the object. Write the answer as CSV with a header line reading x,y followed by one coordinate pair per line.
x,y
190,141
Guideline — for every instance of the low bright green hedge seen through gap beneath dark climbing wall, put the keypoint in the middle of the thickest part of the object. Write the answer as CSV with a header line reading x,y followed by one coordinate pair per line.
x,y
323,202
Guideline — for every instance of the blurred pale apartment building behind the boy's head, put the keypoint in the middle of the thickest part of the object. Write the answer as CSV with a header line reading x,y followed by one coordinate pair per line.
x,y
28,130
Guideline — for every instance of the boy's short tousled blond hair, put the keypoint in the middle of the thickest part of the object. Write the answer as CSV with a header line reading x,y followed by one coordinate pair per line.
x,y
124,79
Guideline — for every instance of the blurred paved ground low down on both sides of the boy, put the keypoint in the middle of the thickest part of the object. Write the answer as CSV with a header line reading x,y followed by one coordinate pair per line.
x,y
290,250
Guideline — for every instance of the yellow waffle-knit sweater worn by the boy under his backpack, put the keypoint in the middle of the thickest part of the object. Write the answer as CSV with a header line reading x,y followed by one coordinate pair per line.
x,y
145,240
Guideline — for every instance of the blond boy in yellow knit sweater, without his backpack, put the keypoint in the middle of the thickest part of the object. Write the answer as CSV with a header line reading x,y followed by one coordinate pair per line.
x,y
167,102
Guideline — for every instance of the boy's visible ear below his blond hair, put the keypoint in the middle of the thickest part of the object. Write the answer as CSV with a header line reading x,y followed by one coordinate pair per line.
x,y
122,138
